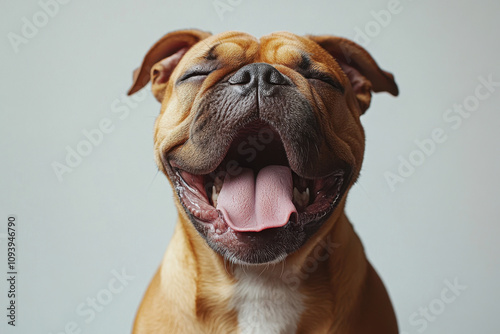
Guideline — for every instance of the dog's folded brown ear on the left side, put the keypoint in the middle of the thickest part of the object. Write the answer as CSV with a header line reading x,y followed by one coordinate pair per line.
x,y
162,58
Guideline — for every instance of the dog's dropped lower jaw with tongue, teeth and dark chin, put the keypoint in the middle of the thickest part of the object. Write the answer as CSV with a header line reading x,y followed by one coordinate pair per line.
x,y
309,201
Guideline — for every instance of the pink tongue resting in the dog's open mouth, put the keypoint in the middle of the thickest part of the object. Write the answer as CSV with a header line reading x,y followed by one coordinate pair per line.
x,y
254,204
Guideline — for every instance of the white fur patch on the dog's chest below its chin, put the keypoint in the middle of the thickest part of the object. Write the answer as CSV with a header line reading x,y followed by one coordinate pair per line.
x,y
266,305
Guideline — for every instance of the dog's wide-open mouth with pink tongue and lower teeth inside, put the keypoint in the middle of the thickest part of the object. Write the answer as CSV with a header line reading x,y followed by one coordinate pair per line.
x,y
254,189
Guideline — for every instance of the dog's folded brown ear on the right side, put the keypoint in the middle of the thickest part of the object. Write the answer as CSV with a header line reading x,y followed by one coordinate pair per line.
x,y
361,69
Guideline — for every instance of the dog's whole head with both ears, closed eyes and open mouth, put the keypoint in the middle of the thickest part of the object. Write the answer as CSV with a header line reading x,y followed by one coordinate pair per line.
x,y
261,139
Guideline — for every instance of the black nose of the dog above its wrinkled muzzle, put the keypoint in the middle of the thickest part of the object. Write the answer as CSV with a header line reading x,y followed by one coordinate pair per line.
x,y
262,76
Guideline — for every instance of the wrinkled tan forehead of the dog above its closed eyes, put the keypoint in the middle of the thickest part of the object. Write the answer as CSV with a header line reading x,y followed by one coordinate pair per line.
x,y
278,47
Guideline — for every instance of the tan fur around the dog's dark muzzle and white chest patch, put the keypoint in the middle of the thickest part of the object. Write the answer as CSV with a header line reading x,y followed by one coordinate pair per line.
x,y
343,294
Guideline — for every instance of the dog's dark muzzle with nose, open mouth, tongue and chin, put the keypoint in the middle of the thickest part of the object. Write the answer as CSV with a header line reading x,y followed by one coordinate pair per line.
x,y
250,176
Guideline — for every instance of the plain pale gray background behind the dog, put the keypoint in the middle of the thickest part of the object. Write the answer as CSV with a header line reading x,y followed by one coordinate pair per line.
x,y
113,212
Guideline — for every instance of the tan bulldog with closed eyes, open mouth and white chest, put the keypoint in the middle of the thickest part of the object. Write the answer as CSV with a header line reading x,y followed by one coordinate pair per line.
x,y
261,141
